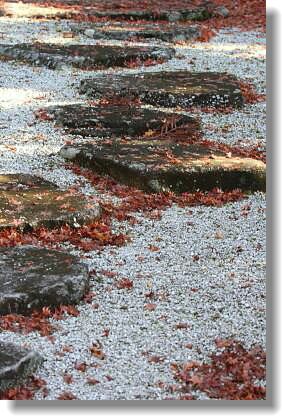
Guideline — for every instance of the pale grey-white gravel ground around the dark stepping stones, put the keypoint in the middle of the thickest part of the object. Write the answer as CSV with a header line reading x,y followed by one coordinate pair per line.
x,y
221,294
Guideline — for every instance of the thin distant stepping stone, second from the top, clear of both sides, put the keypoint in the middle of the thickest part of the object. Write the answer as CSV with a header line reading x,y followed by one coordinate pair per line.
x,y
125,31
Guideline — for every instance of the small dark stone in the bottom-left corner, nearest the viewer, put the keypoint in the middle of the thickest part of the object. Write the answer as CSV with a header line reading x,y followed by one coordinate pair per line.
x,y
16,365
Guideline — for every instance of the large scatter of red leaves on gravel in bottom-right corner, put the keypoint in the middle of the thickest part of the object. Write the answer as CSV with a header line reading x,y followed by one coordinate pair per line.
x,y
233,373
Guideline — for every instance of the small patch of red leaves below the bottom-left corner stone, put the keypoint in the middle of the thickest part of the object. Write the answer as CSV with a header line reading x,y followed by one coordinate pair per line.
x,y
25,392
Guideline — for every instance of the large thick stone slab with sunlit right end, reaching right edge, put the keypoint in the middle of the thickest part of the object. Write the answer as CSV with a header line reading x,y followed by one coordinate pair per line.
x,y
160,165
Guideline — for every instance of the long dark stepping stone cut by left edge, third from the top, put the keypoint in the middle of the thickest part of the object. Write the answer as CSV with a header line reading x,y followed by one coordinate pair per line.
x,y
83,56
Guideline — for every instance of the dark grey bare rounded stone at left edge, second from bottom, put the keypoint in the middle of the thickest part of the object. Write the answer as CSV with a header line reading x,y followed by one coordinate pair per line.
x,y
33,277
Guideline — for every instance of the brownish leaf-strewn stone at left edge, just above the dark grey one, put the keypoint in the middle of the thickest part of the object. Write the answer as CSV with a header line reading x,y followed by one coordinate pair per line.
x,y
28,202
